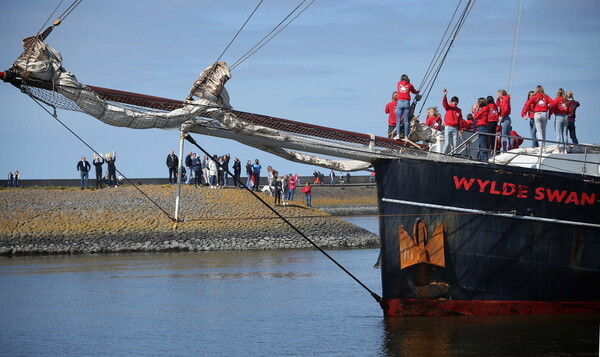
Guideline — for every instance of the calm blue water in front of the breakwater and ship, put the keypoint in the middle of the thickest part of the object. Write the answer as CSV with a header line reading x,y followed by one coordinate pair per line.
x,y
282,303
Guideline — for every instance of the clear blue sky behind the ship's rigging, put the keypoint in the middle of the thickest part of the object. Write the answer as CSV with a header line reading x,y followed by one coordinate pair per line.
x,y
336,65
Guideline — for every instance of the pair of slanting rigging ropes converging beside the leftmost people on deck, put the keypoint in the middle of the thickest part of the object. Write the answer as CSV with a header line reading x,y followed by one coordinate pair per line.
x,y
440,58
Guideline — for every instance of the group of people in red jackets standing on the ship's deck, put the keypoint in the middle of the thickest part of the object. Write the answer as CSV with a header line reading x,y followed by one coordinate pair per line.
x,y
488,116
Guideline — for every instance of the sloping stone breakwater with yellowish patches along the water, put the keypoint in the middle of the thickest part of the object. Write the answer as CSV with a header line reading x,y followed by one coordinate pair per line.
x,y
72,221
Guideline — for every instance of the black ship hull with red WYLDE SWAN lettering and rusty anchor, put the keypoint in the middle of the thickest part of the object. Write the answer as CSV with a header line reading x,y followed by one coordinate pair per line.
x,y
478,239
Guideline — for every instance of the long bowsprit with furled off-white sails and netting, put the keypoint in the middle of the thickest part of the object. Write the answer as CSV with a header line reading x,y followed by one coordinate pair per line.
x,y
206,110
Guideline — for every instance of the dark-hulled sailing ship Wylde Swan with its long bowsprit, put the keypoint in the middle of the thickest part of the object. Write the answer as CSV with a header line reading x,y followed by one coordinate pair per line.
x,y
517,234
